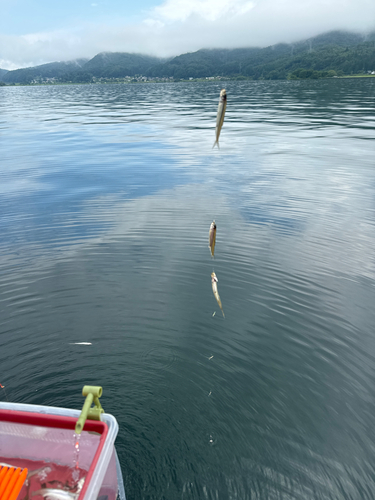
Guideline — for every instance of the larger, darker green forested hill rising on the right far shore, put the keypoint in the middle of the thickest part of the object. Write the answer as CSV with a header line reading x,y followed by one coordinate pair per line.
x,y
344,53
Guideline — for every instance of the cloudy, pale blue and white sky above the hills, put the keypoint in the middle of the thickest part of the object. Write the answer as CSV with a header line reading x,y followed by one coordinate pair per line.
x,y
35,32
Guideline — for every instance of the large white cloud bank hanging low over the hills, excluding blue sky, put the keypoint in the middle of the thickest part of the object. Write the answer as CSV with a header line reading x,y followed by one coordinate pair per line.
x,y
178,26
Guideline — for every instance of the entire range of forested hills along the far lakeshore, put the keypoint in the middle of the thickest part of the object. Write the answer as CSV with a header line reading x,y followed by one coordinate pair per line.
x,y
328,54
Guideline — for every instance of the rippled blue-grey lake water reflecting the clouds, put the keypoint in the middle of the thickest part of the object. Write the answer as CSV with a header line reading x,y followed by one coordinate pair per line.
x,y
107,193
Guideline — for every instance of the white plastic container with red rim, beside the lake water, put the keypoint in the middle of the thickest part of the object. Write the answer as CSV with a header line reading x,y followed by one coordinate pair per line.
x,y
33,432
